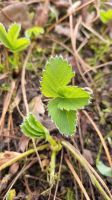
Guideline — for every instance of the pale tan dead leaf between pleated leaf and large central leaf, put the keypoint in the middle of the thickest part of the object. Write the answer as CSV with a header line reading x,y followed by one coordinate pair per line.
x,y
36,107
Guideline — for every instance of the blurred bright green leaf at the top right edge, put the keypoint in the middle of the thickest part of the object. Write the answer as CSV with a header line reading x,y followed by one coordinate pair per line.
x,y
106,16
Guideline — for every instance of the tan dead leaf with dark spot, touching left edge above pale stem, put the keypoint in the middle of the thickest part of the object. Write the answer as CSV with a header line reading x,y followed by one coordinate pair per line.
x,y
7,156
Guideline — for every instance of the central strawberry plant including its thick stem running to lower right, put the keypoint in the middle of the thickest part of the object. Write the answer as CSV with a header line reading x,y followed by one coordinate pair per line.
x,y
63,105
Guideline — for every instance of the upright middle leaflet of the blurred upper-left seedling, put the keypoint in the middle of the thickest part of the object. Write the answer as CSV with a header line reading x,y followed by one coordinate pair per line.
x,y
13,32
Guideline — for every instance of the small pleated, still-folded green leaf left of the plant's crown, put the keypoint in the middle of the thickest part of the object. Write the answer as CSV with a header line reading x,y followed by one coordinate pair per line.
x,y
32,128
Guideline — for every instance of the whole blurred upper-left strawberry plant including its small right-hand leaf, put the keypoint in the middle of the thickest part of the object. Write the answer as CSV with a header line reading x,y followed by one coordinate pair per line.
x,y
14,43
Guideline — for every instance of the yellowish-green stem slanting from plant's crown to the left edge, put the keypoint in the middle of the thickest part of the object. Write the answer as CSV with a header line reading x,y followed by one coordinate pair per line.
x,y
23,155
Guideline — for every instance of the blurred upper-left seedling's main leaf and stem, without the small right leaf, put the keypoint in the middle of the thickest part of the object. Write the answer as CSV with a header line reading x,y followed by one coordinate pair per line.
x,y
15,44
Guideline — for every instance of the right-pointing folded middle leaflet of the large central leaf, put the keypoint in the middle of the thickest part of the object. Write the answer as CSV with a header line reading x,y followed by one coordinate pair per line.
x,y
73,98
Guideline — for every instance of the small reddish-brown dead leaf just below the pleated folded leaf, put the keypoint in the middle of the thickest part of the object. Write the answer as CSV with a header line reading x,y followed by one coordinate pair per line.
x,y
23,143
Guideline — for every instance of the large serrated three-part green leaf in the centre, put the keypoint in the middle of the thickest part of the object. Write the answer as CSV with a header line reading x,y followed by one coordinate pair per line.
x,y
66,99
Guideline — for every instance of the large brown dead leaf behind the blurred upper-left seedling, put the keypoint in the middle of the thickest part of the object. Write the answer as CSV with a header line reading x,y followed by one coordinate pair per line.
x,y
16,12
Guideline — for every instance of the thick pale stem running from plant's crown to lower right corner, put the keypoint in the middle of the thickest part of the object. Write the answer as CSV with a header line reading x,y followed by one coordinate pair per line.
x,y
84,163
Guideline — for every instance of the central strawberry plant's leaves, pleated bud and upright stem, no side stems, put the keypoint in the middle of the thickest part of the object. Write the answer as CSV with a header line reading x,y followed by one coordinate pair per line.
x,y
66,100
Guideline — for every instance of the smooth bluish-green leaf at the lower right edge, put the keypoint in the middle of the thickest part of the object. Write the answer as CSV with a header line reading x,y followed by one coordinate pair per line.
x,y
103,169
